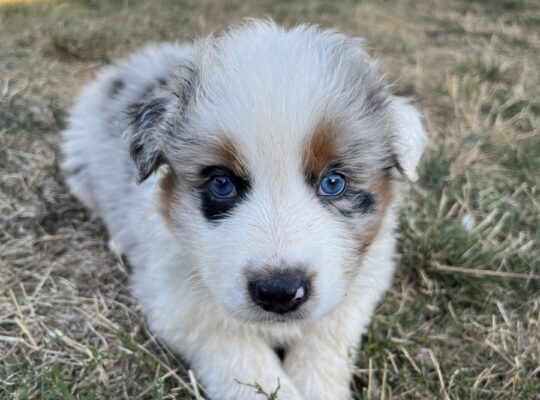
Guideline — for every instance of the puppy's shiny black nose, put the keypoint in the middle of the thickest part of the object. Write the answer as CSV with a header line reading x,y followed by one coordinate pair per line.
x,y
280,291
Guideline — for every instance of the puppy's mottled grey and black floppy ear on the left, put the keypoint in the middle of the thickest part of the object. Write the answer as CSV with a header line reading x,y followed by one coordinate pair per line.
x,y
156,118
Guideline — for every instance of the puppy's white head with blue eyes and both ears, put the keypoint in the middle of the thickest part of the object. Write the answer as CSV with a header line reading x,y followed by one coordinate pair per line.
x,y
281,151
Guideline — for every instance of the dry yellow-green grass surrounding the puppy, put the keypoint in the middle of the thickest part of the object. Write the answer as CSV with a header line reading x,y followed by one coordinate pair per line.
x,y
462,320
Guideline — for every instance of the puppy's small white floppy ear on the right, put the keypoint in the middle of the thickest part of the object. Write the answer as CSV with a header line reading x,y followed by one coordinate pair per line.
x,y
409,138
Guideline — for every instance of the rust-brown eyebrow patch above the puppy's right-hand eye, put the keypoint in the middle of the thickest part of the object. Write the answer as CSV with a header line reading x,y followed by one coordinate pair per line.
x,y
320,150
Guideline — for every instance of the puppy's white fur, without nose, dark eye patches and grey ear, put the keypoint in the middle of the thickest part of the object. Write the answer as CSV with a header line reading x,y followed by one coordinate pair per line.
x,y
266,88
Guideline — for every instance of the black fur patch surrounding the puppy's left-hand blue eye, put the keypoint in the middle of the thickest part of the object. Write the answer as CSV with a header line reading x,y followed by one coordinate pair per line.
x,y
215,209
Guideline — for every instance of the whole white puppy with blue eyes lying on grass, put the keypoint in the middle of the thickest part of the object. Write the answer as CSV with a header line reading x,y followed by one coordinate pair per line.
x,y
250,180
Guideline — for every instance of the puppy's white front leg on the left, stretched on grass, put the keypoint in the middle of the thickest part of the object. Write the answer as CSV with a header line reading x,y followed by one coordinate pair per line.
x,y
230,366
